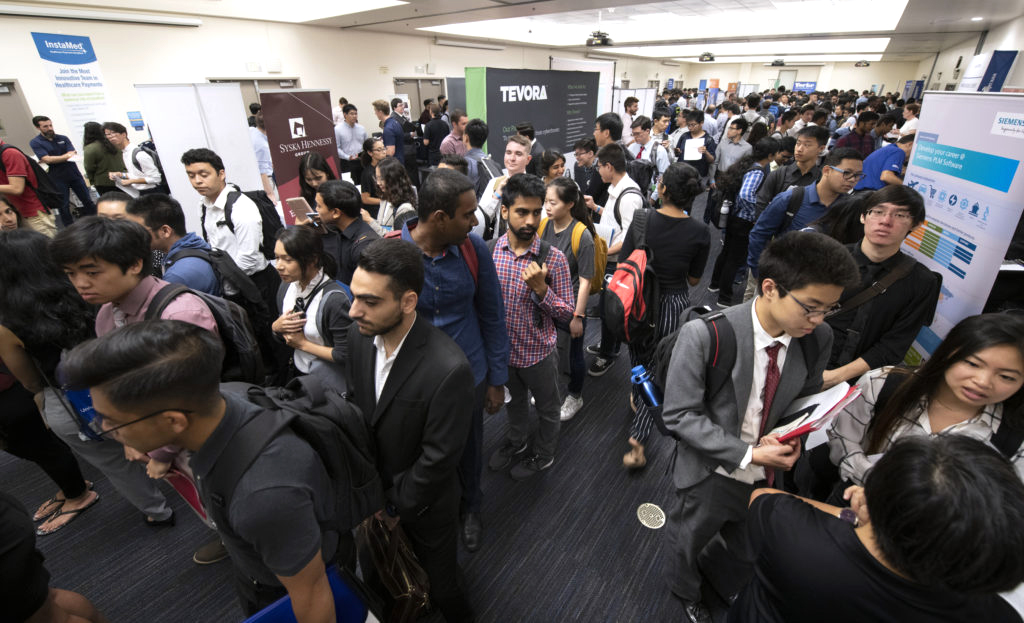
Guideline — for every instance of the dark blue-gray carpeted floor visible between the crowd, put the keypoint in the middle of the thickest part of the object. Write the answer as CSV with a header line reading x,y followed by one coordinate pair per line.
x,y
564,547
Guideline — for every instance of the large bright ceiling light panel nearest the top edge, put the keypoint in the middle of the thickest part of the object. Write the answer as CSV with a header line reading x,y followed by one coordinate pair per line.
x,y
784,19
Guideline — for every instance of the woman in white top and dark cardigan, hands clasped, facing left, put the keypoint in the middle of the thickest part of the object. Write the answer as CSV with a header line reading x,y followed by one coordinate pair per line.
x,y
313,308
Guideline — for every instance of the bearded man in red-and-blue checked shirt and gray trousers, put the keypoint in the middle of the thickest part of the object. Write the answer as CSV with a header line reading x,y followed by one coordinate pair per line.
x,y
538,292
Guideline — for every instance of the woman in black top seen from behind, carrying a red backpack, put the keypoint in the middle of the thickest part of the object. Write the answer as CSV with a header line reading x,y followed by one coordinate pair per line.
x,y
679,246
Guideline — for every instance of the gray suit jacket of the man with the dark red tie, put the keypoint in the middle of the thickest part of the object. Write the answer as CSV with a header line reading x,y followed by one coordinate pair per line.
x,y
709,430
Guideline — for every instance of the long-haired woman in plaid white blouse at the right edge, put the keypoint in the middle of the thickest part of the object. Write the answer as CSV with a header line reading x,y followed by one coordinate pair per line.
x,y
971,386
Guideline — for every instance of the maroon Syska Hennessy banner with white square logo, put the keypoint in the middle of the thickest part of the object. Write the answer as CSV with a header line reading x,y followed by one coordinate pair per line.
x,y
297,122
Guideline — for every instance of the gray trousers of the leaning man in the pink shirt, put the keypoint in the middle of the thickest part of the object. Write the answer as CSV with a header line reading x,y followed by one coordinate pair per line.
x,y
129,478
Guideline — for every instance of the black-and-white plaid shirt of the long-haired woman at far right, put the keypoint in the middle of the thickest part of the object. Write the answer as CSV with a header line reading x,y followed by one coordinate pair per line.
x,y
848,433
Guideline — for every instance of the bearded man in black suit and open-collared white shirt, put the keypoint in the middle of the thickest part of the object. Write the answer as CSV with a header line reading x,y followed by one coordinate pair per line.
x,y
416,387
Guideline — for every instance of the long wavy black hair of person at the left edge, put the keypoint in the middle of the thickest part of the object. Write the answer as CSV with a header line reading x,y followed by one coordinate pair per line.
x,y
37,302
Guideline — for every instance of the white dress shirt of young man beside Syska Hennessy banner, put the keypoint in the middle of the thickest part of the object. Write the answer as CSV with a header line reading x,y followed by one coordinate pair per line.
x,y
244,244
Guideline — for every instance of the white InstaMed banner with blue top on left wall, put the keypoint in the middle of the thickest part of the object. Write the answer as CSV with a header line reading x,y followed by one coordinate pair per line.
x,y
71,63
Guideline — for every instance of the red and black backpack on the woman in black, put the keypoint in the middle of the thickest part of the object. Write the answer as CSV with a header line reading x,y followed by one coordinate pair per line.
x,y
632,300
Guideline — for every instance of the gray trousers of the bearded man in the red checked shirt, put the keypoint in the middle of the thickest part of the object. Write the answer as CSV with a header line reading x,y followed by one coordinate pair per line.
x,y
541,380
